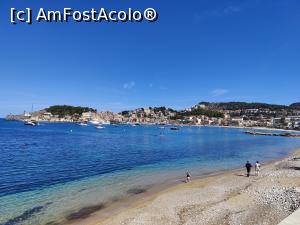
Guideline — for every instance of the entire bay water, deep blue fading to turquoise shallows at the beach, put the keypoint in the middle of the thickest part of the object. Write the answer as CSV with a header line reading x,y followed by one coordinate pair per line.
x,y
50,171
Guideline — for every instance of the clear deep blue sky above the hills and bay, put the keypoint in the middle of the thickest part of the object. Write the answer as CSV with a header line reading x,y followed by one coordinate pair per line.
x,y
198,50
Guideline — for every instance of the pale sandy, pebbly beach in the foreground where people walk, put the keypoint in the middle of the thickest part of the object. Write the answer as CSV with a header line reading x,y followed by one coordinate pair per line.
x,y
227,198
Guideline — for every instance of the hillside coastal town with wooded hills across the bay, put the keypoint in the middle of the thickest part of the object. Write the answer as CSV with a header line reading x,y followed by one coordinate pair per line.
x,y
237,114
